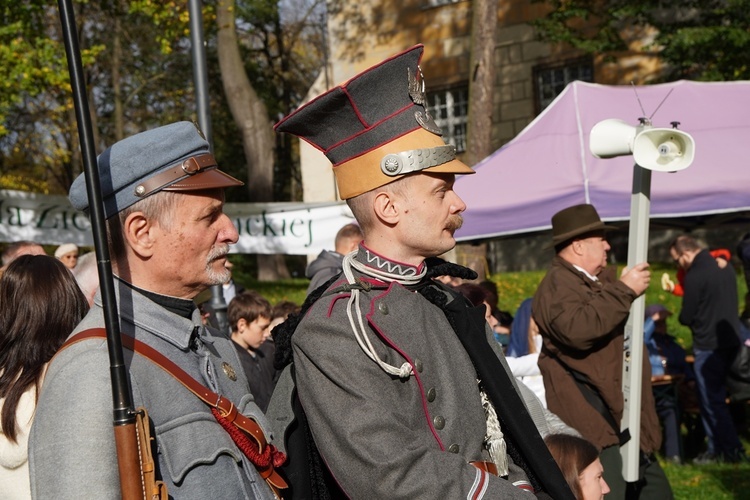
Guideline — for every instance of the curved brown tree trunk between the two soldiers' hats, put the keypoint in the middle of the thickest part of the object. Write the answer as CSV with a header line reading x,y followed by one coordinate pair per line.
x,y
251,117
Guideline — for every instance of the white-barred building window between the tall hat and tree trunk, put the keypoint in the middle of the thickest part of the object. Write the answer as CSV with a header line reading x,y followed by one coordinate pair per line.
x,y
450,108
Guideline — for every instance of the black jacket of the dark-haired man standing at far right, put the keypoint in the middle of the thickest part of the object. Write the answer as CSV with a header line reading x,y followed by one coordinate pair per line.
x,y
709,306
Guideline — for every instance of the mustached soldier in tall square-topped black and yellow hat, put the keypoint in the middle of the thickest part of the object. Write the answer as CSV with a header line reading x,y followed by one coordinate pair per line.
x,y
386,359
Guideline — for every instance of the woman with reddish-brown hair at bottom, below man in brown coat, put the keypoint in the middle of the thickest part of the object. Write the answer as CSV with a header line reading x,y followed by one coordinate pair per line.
x,y
579,462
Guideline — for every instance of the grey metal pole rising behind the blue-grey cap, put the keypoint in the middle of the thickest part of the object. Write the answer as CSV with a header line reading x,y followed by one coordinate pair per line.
x,y
202,102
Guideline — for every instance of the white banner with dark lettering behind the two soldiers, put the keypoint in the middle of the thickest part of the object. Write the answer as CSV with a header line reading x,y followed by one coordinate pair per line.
x,y
265,228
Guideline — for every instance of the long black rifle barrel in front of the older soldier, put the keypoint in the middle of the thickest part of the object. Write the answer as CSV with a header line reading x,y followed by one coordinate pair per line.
x,y
121,398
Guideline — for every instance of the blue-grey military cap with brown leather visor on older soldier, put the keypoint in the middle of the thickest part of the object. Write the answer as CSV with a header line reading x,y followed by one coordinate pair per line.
x,y
174,157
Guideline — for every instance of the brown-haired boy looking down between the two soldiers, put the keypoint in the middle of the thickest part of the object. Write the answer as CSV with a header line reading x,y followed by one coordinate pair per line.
x,y
249,315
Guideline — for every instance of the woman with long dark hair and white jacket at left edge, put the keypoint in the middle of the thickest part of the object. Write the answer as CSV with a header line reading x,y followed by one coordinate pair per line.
x,y
40,304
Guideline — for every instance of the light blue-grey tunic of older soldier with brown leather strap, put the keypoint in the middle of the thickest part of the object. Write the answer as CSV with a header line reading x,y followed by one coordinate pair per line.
x,y
71,448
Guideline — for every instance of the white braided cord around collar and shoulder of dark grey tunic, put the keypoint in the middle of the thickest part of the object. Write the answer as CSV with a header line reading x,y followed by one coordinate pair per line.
x,y
357,324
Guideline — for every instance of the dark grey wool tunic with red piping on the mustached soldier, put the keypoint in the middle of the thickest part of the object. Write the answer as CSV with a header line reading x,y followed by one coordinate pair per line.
x,y
381,436
